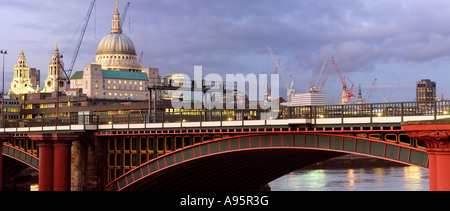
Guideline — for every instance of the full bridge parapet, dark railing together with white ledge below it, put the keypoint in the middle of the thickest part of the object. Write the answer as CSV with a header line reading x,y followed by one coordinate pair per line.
x,y
375,113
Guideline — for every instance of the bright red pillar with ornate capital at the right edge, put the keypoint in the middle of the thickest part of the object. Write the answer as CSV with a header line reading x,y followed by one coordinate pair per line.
x,y
436,138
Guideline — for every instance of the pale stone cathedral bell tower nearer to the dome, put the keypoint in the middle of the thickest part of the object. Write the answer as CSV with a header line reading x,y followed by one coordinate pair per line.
x,y
56,76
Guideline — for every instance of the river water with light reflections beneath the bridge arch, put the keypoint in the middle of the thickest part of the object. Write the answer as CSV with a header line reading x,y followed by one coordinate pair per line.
x,y
361,179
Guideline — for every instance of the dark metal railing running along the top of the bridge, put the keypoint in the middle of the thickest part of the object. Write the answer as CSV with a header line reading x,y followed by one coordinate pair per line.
x,y
373,110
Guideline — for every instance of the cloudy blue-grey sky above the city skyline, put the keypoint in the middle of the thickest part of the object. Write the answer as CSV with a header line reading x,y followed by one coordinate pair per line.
x,y
402,40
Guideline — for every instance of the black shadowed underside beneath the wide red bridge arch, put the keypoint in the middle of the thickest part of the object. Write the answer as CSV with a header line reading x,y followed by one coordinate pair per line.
x,y
239,170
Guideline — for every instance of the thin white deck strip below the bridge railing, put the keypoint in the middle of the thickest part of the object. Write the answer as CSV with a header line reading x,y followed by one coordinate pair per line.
x,y
137,125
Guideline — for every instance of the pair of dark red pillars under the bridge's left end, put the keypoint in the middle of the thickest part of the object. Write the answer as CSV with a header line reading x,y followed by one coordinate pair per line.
x,y
54,161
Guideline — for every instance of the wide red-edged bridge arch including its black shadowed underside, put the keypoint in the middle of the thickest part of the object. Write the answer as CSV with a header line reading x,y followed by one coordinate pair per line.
x,y
248,162
